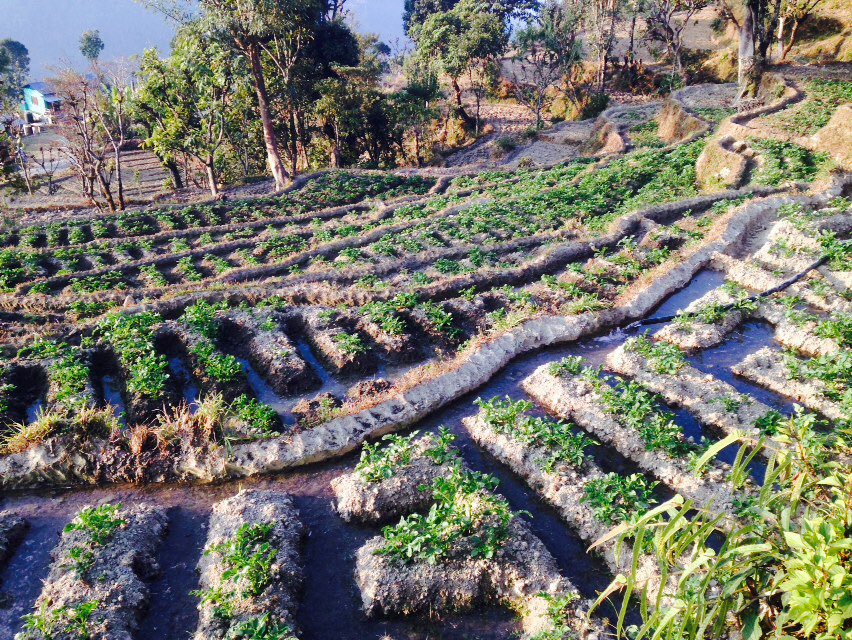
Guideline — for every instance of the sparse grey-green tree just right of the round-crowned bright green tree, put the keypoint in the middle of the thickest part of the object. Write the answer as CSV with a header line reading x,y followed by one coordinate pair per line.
x,y
547,50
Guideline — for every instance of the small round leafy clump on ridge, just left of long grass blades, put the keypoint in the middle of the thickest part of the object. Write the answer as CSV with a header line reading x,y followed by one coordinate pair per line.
x,y
614,498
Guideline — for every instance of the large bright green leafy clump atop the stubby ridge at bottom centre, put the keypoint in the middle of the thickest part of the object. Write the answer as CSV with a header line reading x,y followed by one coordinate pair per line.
x,y
466,518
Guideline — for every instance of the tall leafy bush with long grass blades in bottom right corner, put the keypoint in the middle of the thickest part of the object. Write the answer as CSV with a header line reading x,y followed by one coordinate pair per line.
x,y
783,571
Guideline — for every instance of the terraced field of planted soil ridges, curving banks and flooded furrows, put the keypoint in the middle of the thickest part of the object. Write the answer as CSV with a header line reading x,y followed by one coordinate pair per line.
x,y
209,411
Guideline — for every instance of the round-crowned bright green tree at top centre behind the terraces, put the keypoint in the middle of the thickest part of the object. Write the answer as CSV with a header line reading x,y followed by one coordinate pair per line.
x,y
465,41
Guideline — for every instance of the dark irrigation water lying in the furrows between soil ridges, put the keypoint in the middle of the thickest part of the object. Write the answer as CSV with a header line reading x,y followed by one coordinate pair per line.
x,y
330,604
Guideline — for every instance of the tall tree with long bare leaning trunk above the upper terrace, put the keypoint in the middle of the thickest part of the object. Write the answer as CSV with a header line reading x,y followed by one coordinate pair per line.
x,y
277,28
